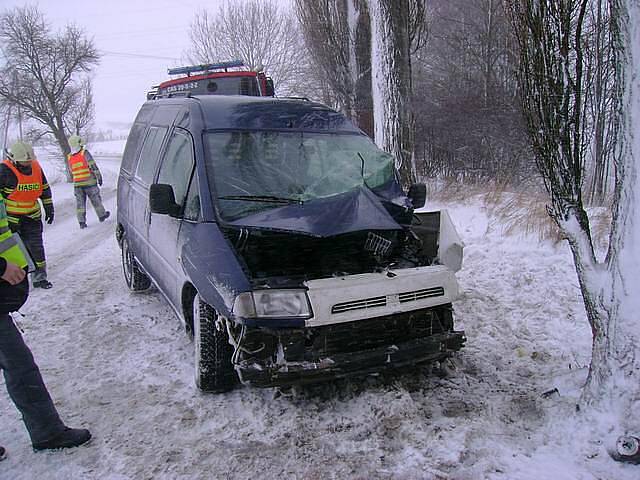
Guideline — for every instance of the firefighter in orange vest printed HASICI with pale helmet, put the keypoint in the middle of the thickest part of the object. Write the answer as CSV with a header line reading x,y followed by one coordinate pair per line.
x,y
23,183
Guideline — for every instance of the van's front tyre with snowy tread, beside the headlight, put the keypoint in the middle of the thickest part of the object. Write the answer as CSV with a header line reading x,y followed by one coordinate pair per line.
x,y
214,371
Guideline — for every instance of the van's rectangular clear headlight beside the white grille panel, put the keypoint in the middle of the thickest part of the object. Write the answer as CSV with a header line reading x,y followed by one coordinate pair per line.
x,y
272,304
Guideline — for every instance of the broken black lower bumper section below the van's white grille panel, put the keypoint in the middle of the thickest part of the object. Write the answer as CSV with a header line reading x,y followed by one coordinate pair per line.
x,y
281,357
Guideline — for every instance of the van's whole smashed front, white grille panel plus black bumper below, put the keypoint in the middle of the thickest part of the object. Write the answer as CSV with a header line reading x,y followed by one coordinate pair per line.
x,y
357,324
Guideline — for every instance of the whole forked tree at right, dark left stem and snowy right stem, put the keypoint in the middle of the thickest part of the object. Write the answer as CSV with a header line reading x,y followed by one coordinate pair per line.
x,y
550,35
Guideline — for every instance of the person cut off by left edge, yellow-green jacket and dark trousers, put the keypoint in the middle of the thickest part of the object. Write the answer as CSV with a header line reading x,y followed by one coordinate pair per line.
x,y
22,376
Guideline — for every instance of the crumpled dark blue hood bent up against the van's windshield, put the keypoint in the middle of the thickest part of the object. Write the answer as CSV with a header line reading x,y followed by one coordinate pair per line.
x,y
360,209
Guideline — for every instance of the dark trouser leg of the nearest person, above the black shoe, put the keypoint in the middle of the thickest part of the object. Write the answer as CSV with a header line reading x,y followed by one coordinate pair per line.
x,y
25,385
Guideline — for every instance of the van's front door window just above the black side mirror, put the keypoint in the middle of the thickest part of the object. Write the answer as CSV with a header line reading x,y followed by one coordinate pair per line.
x,y
177,164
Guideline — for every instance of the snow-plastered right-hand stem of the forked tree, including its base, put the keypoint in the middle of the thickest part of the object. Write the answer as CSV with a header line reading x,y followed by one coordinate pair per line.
x,y
616,353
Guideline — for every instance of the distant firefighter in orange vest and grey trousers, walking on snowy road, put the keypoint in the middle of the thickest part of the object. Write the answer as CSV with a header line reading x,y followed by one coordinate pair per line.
x,y
86,178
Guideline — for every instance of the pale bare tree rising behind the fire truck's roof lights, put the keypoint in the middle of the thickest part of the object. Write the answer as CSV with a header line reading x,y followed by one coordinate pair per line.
x,y
259,32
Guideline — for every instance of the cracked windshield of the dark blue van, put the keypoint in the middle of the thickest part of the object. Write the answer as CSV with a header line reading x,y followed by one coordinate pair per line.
x,y
253,171
